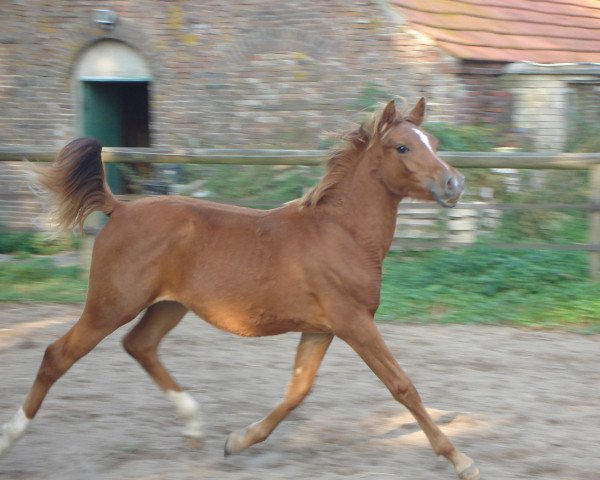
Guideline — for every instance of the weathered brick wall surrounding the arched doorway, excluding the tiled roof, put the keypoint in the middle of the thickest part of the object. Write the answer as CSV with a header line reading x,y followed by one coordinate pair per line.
x,y
225,74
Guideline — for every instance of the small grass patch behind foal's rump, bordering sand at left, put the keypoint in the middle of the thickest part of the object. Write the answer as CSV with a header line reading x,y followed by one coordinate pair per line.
x,y
40,280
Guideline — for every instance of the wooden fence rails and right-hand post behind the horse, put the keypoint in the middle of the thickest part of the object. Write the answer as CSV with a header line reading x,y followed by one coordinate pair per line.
x,y
513,160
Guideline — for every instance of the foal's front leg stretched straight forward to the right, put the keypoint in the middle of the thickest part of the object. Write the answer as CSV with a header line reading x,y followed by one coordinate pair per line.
x,y
365,339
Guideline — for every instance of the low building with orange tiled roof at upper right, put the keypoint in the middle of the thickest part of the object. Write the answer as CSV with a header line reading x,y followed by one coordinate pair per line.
x,y
535,61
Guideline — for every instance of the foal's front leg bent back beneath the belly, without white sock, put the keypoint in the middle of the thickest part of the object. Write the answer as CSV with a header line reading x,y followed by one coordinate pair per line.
x,y
309,355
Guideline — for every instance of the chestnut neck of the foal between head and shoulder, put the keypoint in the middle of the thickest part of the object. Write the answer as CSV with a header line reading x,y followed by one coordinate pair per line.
x,y
364,205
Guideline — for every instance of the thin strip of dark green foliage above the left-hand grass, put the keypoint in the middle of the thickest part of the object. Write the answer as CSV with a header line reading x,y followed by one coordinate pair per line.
x,y
36,243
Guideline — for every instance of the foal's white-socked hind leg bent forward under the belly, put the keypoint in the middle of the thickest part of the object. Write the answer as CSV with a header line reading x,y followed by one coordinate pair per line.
x,y
142,344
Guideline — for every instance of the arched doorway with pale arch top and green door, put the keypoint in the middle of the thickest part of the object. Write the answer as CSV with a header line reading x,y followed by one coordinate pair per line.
x,y
113,86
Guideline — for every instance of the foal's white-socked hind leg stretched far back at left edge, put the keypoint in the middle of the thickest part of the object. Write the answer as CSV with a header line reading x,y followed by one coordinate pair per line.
x,y
90,329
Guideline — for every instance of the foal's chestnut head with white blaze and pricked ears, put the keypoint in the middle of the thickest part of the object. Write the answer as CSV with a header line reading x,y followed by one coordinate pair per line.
x,y
410,166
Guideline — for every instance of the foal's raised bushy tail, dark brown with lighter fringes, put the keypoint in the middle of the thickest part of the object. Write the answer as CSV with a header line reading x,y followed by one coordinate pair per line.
x,y
75,183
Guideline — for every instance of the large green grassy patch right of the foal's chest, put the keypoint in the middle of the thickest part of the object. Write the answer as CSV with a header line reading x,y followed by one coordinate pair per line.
x,y
484,285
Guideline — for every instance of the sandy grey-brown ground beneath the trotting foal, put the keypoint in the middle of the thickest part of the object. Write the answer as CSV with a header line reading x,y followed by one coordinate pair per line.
x,y
524,404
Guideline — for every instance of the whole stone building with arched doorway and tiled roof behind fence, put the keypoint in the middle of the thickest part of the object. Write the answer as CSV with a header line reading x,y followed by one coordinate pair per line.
x,y
263,73
